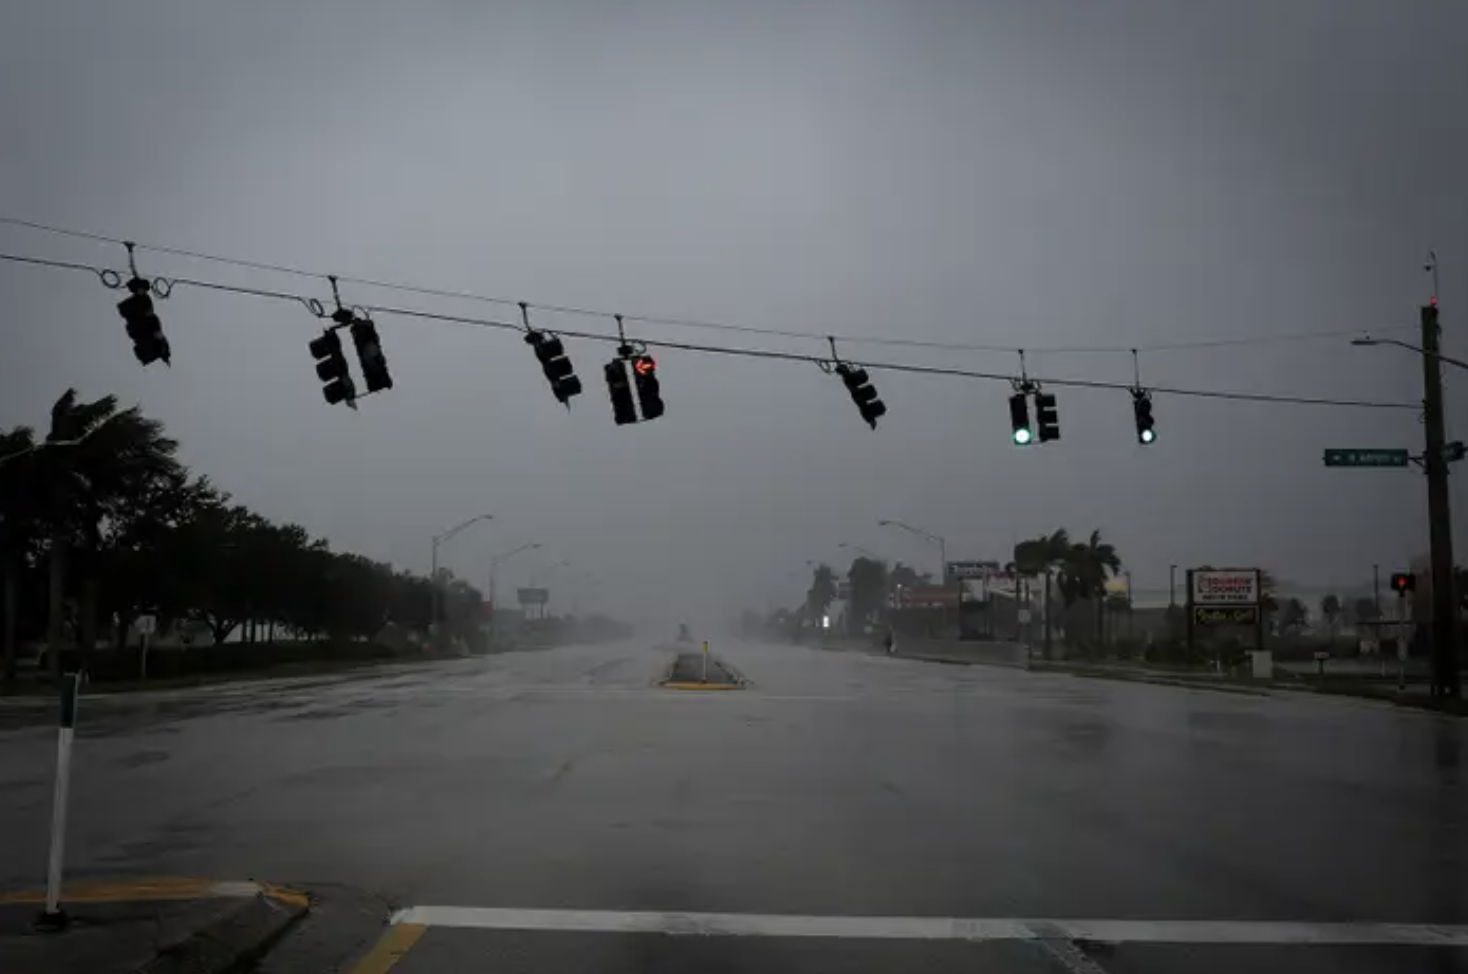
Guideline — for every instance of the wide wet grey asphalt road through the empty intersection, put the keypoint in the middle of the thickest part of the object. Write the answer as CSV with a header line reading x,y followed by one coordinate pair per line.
x,y
836,785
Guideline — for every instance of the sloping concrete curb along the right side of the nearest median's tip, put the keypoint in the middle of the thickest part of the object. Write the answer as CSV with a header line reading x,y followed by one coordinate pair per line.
x,y
237,941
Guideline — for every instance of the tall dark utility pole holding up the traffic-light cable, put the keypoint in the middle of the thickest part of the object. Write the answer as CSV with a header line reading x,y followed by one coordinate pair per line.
x,y
1439,511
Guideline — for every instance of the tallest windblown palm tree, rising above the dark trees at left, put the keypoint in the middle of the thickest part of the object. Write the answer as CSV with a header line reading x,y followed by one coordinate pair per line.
x,y
102,462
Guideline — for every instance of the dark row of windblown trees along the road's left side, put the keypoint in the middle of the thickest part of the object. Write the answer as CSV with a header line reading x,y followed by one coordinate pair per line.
x,y
102,524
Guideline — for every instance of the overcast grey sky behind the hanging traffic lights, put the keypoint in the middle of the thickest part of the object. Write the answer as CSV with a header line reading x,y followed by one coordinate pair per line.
x,y
1037,174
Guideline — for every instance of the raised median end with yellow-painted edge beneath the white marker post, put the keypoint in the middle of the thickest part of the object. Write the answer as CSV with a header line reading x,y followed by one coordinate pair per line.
x,y
148,926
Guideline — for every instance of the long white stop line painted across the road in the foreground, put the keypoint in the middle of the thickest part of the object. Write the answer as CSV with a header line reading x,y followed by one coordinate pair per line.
x,y
1243,932
